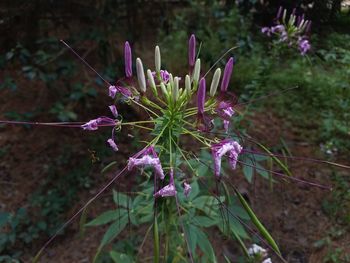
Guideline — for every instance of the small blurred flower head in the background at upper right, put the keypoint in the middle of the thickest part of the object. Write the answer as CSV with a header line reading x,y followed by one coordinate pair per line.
x,y
293,32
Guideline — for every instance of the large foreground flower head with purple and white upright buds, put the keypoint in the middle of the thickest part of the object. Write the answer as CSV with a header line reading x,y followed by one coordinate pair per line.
x,y
167,100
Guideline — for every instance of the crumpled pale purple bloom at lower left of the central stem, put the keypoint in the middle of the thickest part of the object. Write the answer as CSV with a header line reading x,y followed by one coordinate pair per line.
x,y
148,158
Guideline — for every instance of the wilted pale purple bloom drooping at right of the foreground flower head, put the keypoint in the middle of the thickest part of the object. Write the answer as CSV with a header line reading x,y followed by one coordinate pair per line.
x,y
220,149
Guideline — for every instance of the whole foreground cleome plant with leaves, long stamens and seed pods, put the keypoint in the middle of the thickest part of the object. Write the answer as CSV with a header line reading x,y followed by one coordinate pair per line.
x,y
184,193
